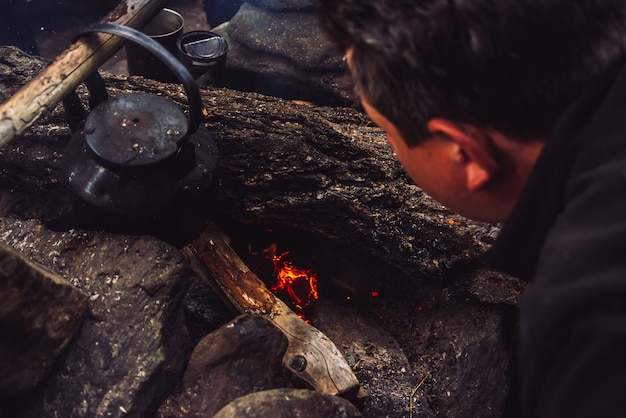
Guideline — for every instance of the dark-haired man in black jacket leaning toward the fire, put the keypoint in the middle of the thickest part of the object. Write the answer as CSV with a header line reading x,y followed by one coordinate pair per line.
x,y
515,111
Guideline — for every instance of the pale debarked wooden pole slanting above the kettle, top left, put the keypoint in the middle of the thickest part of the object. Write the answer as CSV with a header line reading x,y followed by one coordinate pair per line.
x,y
70,69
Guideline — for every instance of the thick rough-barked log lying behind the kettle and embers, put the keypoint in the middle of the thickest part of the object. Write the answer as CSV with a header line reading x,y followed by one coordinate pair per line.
x,y
327,171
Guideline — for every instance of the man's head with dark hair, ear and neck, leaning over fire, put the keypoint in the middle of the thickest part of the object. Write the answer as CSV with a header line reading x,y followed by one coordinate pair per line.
x,y
489,77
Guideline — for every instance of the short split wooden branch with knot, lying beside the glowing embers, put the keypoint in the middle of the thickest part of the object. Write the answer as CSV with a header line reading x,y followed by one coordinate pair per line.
x,y
311,356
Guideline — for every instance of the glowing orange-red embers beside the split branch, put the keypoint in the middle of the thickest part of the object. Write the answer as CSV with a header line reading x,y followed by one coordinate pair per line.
x,y
298,286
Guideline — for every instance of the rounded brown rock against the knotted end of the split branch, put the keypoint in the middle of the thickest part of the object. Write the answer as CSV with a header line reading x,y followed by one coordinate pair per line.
x,y
242,357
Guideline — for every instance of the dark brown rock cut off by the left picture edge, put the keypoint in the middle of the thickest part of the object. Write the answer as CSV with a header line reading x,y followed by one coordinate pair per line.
x,y
39,314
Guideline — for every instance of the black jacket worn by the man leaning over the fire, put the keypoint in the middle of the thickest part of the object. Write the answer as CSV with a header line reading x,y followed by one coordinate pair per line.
x,y
567,235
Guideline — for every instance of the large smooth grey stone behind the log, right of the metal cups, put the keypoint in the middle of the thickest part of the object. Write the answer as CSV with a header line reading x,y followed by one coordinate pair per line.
x,y
283,54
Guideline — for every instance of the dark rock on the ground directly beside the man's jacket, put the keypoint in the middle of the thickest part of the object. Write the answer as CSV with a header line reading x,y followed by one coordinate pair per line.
x,y
462,349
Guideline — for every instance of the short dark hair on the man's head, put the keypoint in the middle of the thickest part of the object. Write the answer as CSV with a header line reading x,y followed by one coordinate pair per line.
x,y
511,65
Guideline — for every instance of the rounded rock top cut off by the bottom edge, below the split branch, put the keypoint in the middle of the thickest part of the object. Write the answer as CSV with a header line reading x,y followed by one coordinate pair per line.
x,y
287,403
